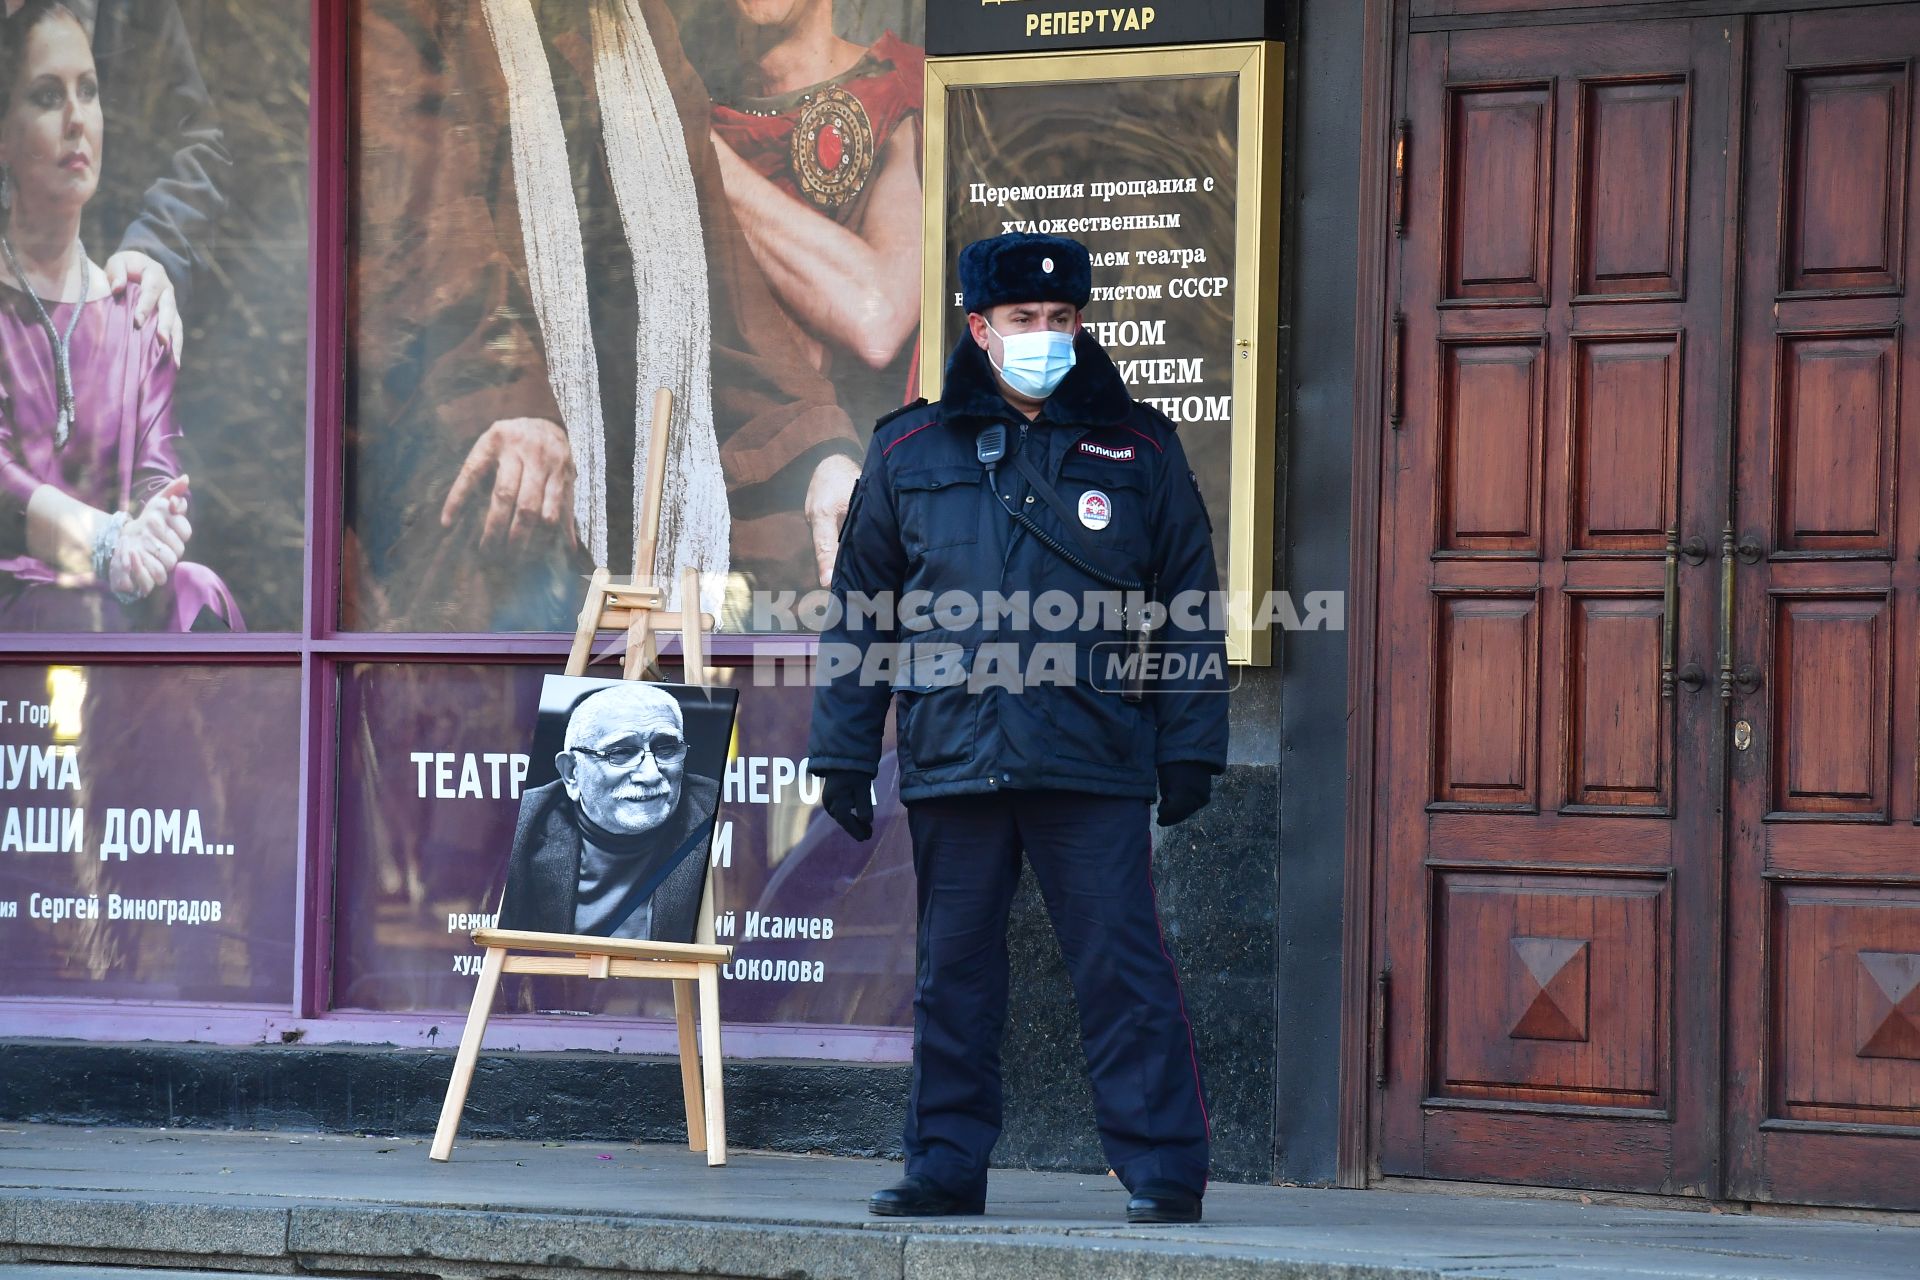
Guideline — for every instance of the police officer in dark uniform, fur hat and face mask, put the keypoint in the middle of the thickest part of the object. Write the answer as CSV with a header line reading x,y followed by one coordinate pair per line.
x,y
1036,475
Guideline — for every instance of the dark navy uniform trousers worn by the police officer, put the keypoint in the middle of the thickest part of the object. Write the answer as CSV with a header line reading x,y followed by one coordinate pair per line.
x,y
1092,857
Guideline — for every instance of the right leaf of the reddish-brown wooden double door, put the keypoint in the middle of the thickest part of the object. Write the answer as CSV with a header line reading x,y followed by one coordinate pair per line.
x,y
1825,911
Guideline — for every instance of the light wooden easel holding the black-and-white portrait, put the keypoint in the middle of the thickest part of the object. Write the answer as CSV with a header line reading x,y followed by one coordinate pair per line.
x,y
640,607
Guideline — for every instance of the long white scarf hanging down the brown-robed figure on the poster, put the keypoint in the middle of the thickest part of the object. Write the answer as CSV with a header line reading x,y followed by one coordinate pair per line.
x,y
660,210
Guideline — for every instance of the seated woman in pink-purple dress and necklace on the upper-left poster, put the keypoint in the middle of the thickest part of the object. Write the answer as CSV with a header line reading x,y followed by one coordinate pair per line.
x,y
93,504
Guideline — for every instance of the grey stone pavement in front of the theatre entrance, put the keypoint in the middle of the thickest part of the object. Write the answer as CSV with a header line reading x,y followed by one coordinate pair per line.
x,y
80,1204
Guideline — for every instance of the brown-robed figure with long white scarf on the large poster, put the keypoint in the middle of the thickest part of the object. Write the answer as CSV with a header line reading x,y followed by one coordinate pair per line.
x,y
579,252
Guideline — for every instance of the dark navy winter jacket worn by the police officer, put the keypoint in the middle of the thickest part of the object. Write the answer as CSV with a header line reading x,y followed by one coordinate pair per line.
x,y
926,521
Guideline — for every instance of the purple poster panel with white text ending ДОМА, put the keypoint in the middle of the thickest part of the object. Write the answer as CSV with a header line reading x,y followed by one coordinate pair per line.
x,y
149,818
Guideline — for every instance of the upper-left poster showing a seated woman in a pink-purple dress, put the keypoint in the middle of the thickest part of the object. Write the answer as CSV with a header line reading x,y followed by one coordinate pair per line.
x,y
153,316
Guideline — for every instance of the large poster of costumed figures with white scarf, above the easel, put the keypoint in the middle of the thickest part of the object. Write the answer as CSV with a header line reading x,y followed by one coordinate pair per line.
x,y
565,204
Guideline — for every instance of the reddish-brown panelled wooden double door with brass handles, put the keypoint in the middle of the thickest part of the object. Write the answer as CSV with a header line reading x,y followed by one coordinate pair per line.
x,y
1648,655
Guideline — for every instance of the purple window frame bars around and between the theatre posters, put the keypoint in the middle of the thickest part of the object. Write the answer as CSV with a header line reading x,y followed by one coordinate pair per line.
x,y
320,652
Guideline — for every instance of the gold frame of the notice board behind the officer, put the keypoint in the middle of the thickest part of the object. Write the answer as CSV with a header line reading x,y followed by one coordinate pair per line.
x,y
1260,68
